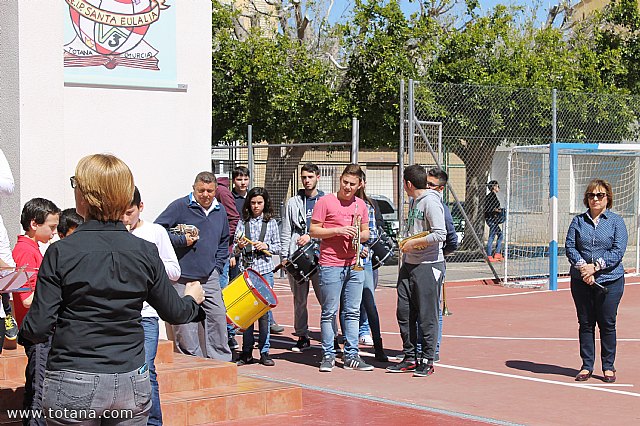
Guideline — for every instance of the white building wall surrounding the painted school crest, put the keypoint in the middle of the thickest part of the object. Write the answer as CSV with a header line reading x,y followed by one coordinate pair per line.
x,y
164,136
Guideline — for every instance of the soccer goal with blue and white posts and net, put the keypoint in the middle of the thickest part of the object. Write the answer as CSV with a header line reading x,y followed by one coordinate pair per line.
x,y
545,190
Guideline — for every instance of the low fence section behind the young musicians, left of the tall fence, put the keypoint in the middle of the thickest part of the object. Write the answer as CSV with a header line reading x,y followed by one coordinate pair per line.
x,y
277,167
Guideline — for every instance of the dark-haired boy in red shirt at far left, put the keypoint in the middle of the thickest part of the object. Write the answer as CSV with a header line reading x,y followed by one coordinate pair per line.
x,y
39,219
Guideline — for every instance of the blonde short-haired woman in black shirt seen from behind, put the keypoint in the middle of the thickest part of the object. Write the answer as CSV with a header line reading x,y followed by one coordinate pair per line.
x,y
90,291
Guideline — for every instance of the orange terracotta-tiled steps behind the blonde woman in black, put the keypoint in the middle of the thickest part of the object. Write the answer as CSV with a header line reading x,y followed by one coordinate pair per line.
x,y
193,391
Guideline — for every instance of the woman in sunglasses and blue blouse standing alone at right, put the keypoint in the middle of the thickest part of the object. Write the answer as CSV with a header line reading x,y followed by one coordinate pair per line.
x,y
596,242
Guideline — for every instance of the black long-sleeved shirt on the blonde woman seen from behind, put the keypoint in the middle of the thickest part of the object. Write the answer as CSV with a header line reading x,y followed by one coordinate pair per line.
x,y
90,289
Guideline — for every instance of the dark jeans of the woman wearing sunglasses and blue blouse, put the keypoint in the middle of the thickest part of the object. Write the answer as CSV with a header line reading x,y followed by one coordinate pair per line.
x,y
594,307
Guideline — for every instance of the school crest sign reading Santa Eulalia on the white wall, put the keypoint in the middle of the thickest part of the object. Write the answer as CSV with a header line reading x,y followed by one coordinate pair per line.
x,y
110,34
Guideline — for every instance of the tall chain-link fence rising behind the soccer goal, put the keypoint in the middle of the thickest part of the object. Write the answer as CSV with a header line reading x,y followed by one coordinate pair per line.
x,y
476,127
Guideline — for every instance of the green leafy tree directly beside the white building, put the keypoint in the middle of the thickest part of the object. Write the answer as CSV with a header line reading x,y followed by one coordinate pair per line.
x,y
276,83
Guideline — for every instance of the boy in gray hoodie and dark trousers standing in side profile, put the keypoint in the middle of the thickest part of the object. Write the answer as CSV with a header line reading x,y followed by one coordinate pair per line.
x,y
421,274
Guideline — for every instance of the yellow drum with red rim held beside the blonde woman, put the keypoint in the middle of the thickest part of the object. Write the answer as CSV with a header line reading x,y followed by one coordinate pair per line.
x,y
247,298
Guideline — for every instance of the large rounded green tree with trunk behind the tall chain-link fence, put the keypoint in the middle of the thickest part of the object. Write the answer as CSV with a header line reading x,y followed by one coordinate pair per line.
x,y
508,66
